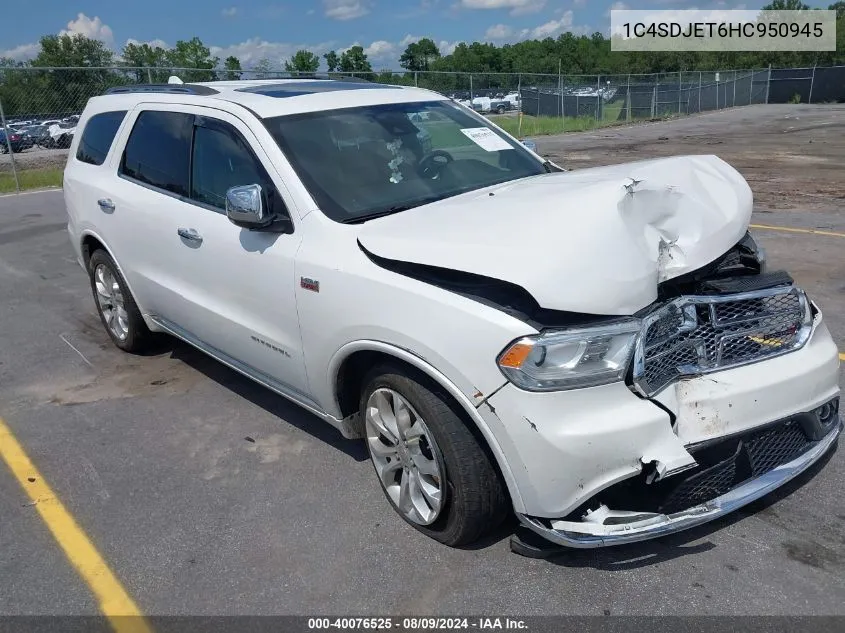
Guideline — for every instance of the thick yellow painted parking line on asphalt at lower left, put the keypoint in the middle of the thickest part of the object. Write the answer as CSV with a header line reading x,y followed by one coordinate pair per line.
x,y
112,597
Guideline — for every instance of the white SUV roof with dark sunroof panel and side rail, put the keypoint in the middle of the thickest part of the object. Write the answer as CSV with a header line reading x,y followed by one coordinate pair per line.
x,y
274,97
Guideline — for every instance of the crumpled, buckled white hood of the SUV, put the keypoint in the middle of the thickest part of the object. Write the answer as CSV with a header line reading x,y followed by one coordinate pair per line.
x,y
596,241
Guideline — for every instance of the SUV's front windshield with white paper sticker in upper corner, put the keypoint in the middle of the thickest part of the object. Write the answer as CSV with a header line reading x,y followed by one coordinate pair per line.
x,y
369,161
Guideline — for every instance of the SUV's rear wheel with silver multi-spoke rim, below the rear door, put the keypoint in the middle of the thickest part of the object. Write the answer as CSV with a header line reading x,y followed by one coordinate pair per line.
x,y
123,321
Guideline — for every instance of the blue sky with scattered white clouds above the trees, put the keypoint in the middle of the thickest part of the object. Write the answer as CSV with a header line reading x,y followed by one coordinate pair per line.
x,y
256,29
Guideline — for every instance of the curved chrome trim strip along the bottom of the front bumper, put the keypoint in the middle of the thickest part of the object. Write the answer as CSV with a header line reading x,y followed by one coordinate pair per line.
x,y
585,535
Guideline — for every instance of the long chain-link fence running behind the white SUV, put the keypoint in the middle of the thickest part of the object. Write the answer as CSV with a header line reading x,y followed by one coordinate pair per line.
x,y
42,105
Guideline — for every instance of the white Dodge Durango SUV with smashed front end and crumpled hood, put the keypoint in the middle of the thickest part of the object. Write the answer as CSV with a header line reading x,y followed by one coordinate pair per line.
x,y
601,351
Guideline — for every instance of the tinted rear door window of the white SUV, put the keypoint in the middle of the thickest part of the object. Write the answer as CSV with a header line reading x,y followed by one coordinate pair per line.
x,y
158,151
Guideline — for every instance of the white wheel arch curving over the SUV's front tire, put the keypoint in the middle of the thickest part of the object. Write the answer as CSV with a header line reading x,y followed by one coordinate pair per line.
x,y
350,364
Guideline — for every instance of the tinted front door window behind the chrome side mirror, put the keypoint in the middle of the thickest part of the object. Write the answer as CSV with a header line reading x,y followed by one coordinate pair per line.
x,y
221,159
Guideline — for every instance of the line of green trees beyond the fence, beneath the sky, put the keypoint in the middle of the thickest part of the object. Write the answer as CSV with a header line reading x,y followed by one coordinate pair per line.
x,y
94,67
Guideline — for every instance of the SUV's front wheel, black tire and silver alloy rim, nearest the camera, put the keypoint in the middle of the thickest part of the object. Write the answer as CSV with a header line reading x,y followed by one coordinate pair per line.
x,y
432,469
